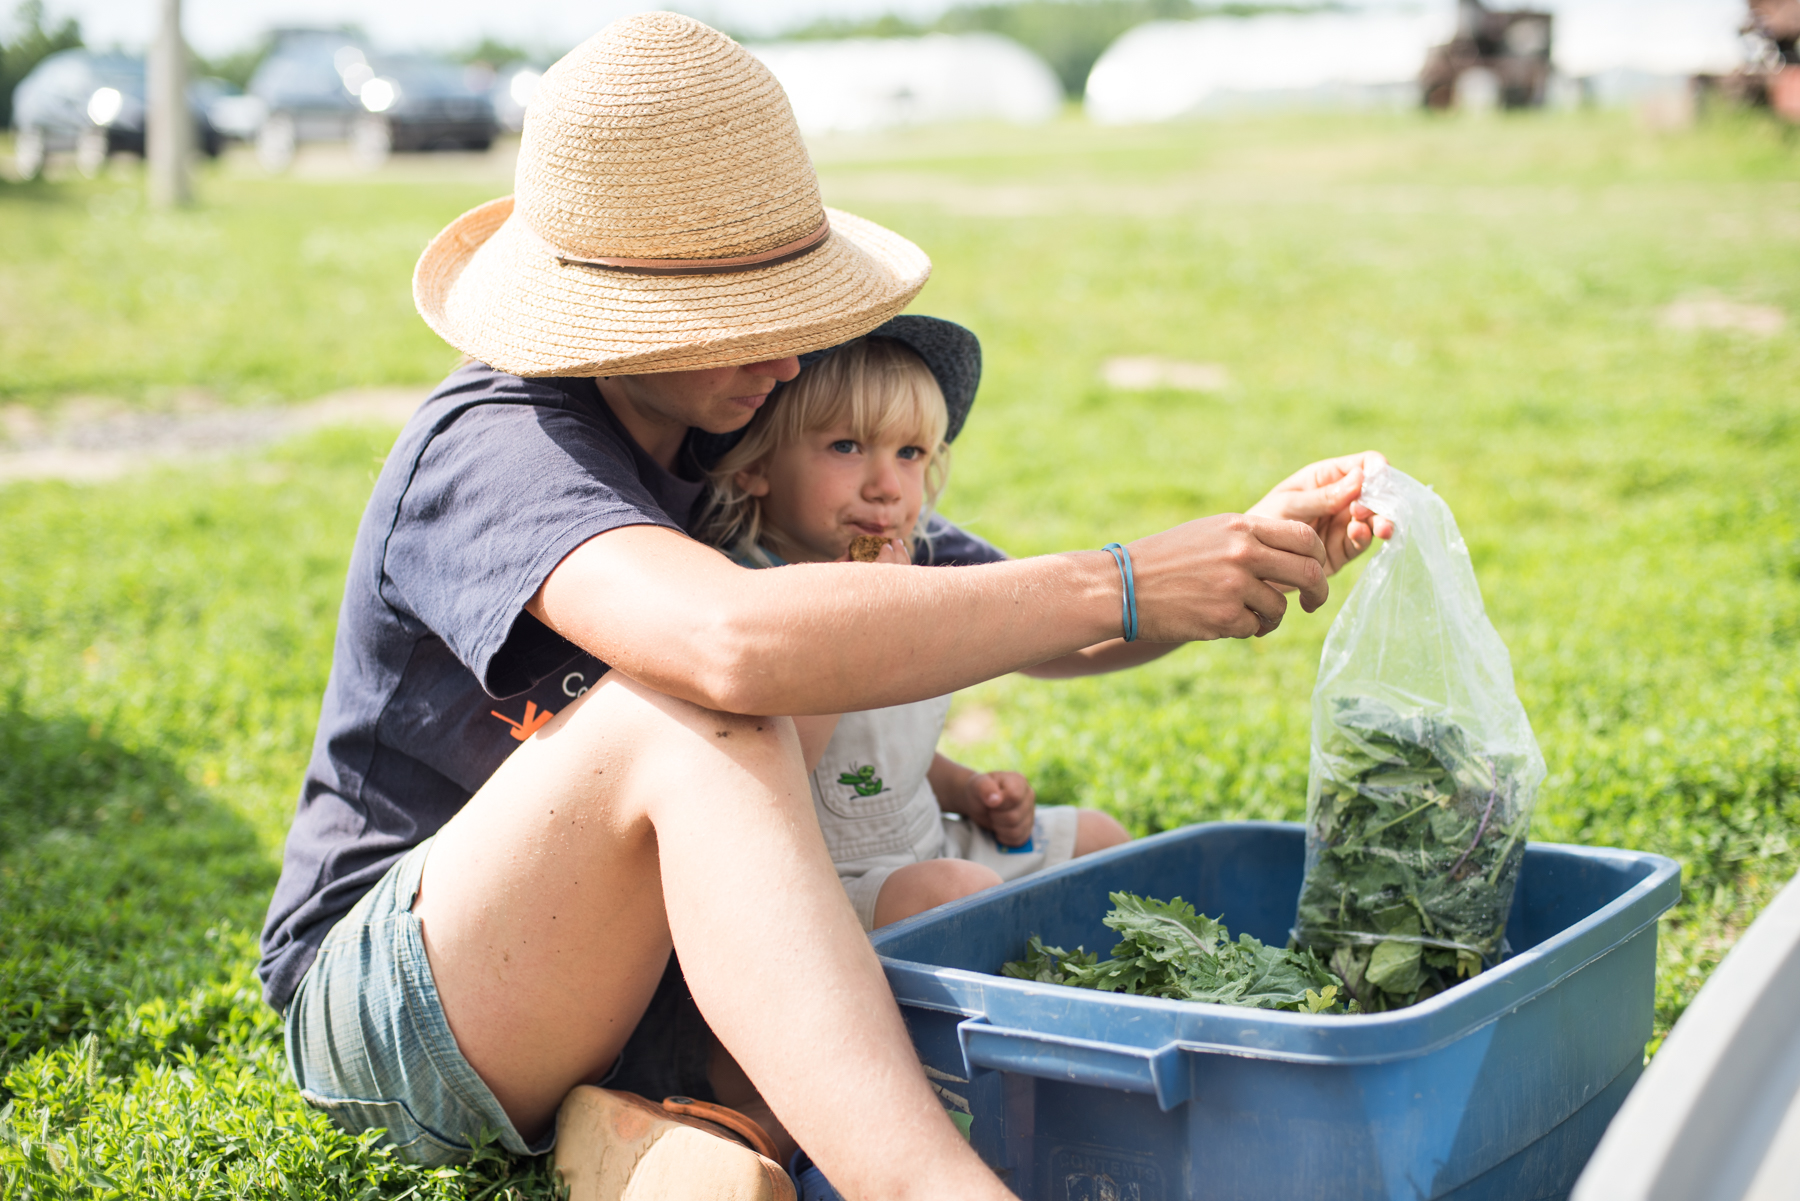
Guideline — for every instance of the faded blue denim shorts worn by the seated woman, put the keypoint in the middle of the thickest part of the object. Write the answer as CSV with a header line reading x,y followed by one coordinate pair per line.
x,y
368,1042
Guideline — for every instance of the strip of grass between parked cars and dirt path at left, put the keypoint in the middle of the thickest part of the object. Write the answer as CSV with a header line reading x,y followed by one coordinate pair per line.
x,y
271,291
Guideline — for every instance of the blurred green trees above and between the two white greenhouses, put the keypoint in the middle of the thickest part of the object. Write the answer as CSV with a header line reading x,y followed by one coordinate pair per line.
x,y
1070,35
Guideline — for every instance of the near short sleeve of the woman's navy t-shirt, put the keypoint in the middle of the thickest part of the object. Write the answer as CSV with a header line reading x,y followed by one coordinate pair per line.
x,y
496,501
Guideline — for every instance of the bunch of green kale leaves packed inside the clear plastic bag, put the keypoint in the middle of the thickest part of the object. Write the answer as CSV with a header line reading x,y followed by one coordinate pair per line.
x,y
1414,847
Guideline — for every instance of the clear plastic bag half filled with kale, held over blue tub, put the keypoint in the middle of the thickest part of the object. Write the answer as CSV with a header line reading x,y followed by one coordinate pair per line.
x,y
1425,770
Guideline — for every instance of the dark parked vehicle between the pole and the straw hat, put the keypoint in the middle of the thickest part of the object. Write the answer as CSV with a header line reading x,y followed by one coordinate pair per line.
x,y
332,87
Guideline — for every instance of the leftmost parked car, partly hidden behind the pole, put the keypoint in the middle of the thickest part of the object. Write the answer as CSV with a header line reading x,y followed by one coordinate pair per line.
x,y
94,105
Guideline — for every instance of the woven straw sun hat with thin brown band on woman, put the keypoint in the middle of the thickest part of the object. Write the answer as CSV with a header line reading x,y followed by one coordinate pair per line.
x,y
665,219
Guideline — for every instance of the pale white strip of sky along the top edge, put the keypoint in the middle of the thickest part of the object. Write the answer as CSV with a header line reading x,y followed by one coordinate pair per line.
x,y
553,26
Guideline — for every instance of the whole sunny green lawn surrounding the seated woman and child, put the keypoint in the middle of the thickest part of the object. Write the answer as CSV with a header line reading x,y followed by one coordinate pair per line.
x,y
1484,302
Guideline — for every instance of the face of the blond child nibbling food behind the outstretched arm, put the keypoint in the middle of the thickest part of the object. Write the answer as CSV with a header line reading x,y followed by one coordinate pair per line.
x,y
831,487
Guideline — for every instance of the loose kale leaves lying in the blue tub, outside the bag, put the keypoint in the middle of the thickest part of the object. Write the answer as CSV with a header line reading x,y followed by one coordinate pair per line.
x,y
1171,952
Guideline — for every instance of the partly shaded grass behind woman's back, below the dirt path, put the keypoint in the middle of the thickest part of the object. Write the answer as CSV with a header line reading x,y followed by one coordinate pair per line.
x,y
163,646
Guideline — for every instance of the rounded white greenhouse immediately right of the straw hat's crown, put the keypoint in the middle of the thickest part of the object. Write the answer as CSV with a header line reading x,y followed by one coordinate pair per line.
x,y
877,84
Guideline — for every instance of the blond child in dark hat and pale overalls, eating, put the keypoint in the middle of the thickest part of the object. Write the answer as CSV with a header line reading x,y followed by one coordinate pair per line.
x,y
856,449
